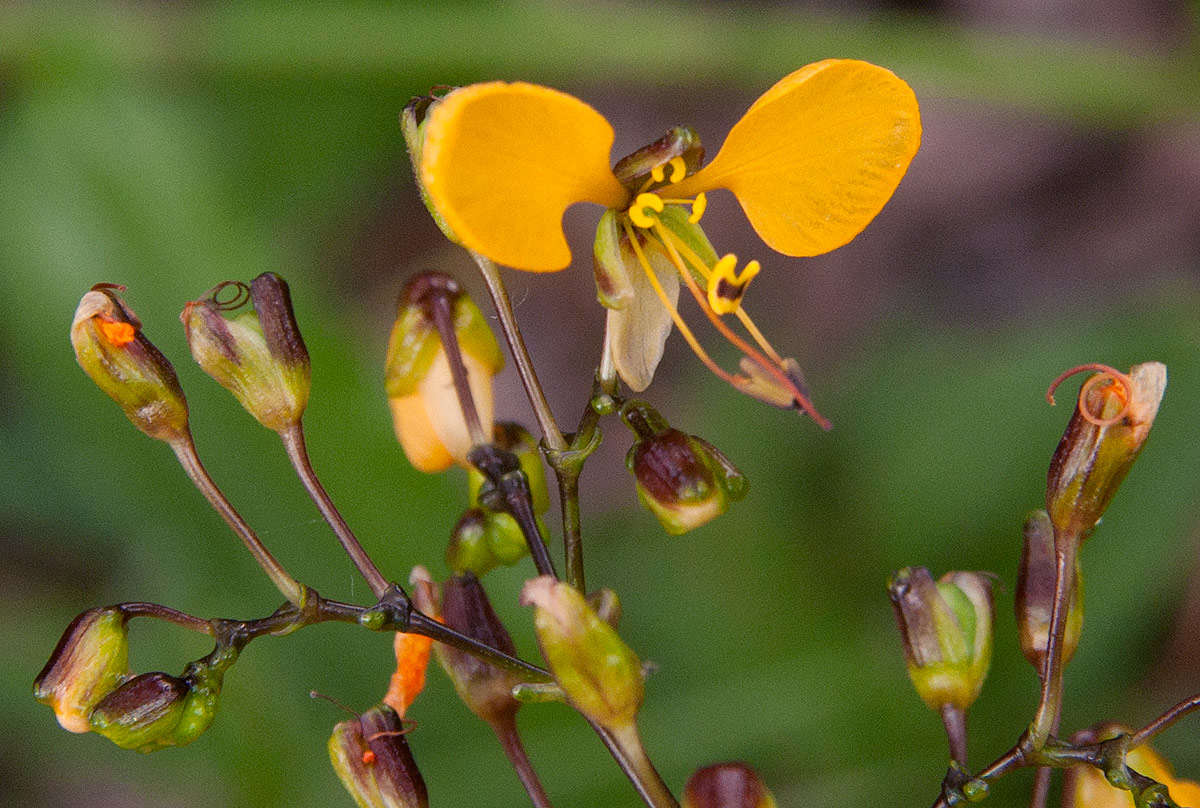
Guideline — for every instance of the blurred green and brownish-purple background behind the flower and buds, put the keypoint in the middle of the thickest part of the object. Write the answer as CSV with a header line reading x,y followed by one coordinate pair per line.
x,y
1052,218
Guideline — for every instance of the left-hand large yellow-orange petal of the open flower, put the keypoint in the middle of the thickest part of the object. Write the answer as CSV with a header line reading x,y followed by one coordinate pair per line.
x,y
502,163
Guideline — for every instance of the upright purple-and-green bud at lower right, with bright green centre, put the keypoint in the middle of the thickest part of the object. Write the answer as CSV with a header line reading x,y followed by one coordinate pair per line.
x,y
946,629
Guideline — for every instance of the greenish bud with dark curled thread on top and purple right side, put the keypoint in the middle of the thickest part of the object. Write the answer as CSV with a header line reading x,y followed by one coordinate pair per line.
x,y
257,355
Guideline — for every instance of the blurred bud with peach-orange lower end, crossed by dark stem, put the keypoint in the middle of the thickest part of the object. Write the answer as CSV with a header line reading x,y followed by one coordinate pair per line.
x,y
429,420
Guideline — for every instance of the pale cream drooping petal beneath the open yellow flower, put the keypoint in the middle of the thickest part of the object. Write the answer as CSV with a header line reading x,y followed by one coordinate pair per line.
x,y
639,332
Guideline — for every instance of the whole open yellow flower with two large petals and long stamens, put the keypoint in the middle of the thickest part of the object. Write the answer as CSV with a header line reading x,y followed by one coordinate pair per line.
x,y
812,163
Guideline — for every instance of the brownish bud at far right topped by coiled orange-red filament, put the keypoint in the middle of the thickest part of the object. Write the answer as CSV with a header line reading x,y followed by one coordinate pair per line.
x,y
1103,439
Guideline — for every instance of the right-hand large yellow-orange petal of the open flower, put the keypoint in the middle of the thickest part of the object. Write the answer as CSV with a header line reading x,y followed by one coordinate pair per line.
x,y
815,159
